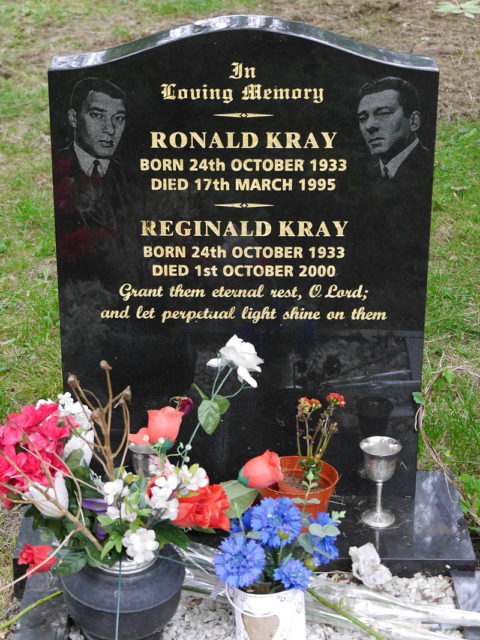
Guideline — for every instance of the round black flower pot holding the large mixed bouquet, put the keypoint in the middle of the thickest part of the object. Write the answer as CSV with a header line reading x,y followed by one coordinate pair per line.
x,y
149,597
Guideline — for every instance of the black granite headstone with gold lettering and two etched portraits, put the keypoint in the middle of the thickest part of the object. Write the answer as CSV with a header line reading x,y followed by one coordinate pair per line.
x,y
253,176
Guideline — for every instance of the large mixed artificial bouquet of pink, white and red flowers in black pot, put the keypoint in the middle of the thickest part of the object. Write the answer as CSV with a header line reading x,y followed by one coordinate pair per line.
x,y
45,455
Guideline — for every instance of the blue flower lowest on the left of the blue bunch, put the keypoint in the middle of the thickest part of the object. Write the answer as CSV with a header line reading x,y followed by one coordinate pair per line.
x,y
240,561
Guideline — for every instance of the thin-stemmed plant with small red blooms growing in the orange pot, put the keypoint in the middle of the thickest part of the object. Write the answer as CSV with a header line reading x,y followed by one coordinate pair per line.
x,y
315,438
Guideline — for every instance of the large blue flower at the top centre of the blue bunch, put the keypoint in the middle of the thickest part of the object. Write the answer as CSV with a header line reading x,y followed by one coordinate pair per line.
x,y
277,520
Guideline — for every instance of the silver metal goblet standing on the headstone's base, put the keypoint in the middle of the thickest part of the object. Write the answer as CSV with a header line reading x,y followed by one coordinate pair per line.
x,y
380,455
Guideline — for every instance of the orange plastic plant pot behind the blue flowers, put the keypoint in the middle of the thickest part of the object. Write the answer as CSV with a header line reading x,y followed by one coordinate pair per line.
x,y
328,481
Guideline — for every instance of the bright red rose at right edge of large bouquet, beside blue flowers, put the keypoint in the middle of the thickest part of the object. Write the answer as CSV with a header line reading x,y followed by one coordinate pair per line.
x,y
204,509
